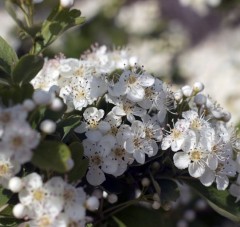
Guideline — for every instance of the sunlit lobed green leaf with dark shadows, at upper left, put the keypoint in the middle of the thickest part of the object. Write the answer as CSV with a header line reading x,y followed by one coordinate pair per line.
x,y
60,20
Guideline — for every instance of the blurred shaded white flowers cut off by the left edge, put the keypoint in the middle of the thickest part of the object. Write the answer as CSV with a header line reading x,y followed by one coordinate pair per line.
x,y
17,140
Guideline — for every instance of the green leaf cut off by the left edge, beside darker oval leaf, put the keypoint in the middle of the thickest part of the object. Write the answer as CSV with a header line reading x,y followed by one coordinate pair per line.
x,y
8,57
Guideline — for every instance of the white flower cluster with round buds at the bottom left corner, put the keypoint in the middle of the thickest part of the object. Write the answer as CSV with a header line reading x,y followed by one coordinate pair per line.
x,y
53,203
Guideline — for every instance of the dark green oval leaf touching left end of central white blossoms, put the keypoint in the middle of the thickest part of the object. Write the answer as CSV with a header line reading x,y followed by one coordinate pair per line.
x,y
27,68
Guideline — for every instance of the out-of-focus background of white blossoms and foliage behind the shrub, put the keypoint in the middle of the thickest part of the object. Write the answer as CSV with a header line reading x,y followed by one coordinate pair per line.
x,y
180,41
